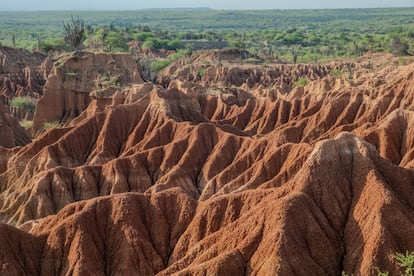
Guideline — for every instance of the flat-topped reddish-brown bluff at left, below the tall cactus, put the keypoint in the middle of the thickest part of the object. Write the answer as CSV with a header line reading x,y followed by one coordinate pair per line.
x,y
74,76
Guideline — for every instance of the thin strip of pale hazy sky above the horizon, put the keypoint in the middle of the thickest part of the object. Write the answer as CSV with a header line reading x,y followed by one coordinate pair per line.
x,y
215,4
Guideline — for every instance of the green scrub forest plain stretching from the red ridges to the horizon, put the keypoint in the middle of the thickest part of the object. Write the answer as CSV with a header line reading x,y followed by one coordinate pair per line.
x,y
291,36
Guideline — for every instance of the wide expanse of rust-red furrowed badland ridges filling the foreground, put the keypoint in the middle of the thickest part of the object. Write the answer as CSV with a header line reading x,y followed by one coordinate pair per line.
x,y
157,180
